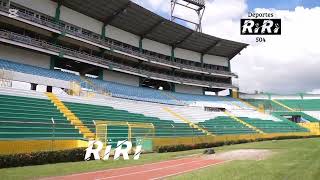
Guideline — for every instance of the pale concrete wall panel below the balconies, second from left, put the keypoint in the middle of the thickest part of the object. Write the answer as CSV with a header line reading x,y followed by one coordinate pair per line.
x,y
120,78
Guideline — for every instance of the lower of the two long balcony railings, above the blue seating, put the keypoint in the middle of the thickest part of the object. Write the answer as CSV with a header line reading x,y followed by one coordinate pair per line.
x,y
82,55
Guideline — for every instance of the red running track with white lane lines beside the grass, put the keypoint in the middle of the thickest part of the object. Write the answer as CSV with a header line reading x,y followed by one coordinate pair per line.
x,y
157,170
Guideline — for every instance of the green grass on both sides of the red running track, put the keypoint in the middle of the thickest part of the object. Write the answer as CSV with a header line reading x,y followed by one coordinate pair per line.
x,y
293,159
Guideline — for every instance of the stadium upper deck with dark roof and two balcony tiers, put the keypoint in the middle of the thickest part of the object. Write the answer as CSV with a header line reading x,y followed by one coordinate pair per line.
x,y
125,36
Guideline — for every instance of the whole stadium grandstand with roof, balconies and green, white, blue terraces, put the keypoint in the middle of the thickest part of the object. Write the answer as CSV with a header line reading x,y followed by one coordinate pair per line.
x,y
75,70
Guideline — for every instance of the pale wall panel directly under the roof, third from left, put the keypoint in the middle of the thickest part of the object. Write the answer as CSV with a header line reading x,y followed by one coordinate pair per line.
x,y
122,36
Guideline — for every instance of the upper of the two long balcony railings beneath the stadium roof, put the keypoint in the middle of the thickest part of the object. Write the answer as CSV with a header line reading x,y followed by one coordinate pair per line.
x,y
107,42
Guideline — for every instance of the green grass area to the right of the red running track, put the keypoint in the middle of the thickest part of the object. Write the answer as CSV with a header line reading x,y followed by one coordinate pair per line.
x,y
294,159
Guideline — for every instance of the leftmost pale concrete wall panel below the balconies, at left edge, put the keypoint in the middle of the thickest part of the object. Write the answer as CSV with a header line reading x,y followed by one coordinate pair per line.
x,y
20,55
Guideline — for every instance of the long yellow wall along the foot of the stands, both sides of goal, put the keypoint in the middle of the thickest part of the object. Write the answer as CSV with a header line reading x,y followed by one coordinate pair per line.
x,y
28,146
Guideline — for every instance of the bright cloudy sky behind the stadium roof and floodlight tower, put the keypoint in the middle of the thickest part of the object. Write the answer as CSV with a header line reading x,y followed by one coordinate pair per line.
x,y
289,63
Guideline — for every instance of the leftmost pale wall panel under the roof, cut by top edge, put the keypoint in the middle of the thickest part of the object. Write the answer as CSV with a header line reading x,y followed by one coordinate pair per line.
x,y
47,7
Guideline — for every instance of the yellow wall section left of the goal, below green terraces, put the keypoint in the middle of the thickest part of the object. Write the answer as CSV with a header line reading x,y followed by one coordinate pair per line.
x,y
28,146
